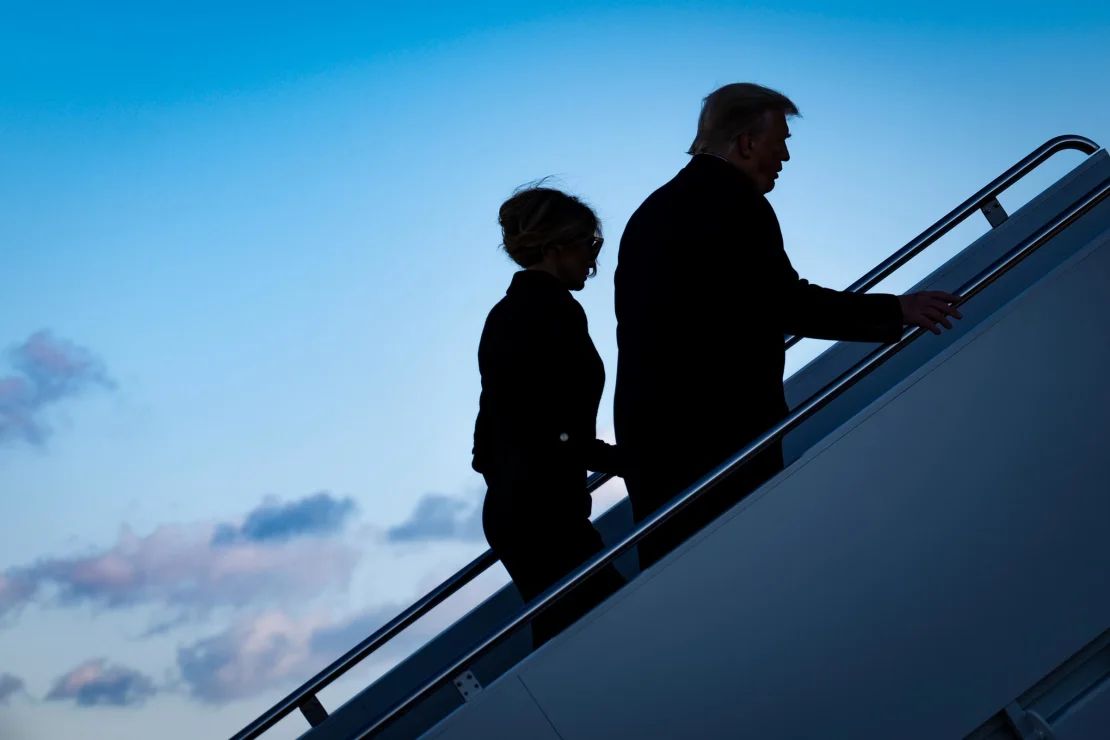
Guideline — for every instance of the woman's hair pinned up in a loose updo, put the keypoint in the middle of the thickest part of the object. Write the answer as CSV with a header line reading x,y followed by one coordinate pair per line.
x,y
538,218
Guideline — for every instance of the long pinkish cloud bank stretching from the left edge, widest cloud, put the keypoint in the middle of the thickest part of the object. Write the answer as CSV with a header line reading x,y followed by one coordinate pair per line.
x,y
184,569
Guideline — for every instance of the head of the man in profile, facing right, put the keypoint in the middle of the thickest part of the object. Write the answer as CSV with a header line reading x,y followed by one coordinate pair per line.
x,y
745,124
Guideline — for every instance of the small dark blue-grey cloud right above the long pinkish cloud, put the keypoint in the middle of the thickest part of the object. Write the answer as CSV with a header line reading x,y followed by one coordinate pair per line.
x,y
320,514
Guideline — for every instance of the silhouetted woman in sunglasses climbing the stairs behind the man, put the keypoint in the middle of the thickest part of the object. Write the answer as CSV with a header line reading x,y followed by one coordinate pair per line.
x,y
542,381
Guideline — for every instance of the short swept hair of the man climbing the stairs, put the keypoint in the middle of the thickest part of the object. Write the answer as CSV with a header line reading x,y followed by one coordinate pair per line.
x,y
730,111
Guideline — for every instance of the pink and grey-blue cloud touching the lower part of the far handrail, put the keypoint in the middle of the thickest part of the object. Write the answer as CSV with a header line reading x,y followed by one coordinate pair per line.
x,y
269,651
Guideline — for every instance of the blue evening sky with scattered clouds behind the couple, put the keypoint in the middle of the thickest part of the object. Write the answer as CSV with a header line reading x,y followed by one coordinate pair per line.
x,y
247,251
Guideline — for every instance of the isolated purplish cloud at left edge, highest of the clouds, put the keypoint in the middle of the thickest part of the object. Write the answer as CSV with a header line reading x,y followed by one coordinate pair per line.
x,y
49,370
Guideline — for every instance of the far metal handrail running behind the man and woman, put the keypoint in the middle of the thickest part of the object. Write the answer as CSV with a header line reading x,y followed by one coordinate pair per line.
x,y
306,696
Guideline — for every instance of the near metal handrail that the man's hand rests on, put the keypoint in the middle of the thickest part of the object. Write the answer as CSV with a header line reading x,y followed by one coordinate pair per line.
x,y
825,397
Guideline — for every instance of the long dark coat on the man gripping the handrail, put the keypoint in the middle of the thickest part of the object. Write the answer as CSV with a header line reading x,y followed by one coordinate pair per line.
x,y
704,297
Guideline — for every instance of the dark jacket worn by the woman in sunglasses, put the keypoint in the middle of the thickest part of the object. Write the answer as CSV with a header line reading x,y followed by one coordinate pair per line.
x,y
542,381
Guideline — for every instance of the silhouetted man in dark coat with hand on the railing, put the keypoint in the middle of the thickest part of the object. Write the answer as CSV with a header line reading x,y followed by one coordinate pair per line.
x,y
704,297
